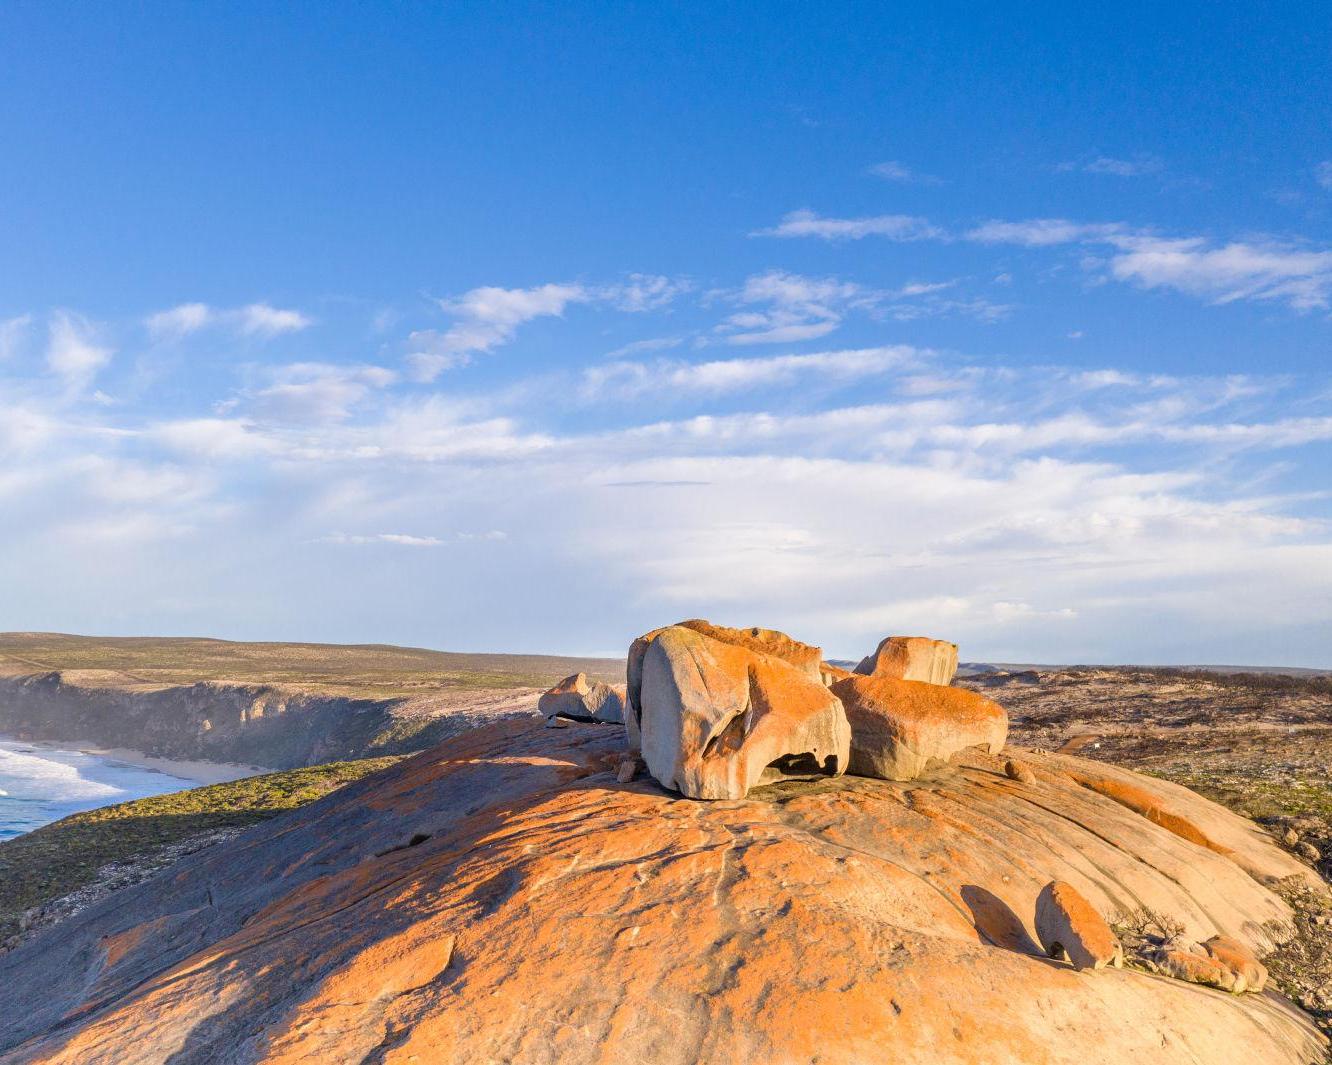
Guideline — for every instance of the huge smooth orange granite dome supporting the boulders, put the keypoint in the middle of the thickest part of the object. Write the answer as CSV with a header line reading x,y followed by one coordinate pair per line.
x,y
549,915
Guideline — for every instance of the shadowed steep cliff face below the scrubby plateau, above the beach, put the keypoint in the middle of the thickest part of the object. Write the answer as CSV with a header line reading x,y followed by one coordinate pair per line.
x,y
255,725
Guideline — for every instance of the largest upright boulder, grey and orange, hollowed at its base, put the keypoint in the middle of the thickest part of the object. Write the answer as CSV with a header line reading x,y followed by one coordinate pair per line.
x,y
717,714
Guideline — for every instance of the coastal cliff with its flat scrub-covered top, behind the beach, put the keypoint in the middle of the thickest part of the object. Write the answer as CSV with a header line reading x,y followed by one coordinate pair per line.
x,y
276,706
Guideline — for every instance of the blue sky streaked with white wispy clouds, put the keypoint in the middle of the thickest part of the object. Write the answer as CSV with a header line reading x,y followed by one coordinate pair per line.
x,y
532,328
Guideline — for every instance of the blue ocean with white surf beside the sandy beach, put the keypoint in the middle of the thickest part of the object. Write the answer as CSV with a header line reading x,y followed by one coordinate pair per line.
x,y
41,785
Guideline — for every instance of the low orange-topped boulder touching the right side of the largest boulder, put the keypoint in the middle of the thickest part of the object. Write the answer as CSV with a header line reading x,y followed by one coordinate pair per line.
x,y
898,728
